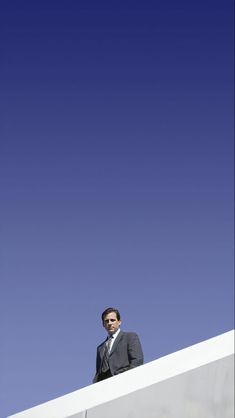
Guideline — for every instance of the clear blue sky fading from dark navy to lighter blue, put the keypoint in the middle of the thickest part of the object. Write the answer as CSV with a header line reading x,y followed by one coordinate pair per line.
x,y
116,168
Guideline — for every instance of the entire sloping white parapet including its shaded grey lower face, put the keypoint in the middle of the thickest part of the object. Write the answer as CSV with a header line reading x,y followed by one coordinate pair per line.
x,y
196,382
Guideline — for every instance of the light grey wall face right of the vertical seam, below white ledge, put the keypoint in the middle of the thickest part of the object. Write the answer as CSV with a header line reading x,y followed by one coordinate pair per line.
x,y
206,392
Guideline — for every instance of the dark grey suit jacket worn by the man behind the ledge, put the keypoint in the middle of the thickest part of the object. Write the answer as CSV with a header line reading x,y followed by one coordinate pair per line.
x,y
126,354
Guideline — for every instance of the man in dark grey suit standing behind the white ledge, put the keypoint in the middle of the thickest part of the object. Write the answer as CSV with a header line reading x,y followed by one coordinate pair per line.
x,y
121,351
